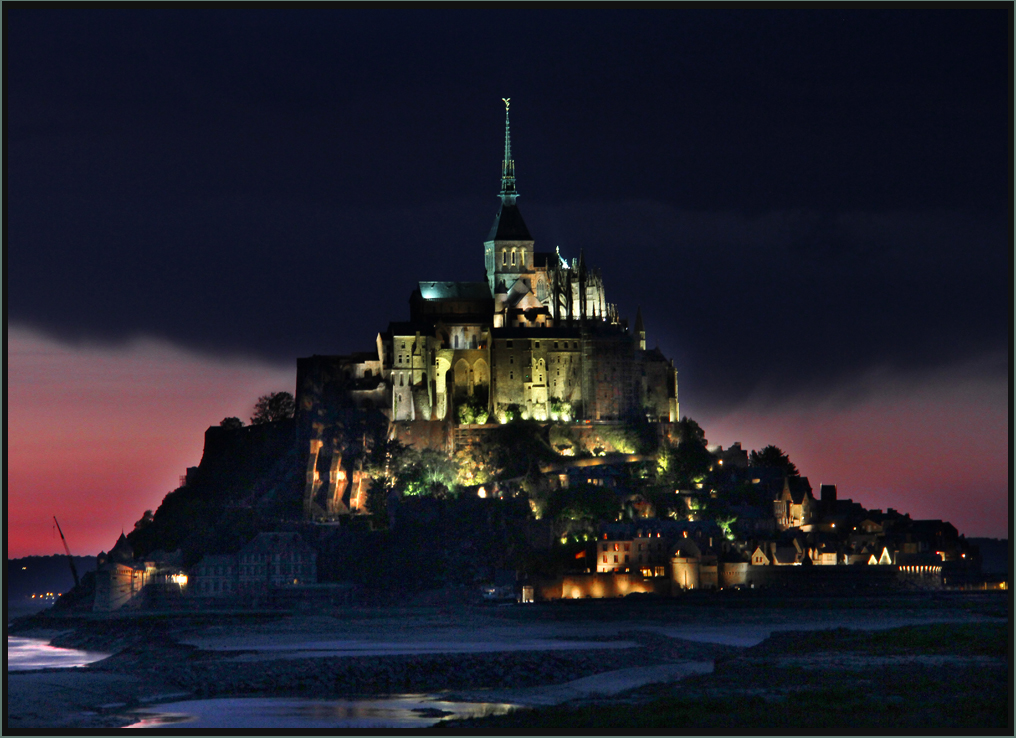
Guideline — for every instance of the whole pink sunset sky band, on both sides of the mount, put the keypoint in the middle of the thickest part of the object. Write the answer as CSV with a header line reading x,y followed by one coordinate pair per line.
x,y
98,436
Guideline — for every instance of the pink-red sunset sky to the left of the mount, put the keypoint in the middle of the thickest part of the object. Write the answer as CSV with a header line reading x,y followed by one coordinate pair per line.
x,y
97,436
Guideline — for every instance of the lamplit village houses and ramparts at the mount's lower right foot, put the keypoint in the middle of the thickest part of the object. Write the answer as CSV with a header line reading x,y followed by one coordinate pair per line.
x,y
788,539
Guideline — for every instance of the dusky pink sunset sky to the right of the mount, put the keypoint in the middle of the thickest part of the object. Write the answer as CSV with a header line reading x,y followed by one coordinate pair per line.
x,y
934,449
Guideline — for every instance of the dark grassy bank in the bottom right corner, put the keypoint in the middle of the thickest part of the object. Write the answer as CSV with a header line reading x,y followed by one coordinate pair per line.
x,y
943,679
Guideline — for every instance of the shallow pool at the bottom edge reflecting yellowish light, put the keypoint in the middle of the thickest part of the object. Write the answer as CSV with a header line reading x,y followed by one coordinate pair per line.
x,y
407,711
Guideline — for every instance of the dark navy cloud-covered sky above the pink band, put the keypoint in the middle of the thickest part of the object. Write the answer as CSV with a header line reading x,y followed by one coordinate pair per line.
x,y
794,198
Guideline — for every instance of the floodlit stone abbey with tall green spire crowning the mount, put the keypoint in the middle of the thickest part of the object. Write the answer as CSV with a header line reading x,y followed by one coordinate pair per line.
x,y
537,340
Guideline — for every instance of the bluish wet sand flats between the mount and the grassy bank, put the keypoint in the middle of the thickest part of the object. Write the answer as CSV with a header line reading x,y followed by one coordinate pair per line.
x,y
543,655
